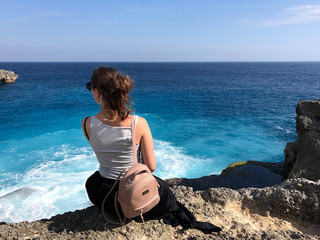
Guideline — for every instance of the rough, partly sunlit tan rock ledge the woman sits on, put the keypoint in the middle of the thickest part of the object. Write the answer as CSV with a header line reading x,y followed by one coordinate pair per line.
x,y
289,210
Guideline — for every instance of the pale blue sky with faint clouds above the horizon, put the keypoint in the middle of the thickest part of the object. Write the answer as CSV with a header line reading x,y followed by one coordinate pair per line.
x,y
159,30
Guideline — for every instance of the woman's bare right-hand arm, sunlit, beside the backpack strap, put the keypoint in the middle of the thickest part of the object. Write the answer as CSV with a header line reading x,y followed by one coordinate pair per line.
x,y
146,144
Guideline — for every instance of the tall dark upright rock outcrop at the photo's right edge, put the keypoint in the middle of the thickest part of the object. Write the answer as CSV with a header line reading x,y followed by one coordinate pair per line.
x,y
305,156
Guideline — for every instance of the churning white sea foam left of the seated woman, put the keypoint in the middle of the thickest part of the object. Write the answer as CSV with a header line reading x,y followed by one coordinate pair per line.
x,y
58,183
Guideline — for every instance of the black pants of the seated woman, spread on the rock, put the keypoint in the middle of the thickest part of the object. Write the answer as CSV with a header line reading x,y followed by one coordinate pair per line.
x,y
168,208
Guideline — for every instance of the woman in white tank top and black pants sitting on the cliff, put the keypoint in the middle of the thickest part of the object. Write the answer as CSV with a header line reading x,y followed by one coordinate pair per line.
x,y
109,135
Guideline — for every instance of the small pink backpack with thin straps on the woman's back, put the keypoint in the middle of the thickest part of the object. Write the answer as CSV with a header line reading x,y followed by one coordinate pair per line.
x,y
138,189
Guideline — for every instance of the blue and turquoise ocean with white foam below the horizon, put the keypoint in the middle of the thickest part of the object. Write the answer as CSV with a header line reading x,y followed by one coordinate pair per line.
x,y
203,116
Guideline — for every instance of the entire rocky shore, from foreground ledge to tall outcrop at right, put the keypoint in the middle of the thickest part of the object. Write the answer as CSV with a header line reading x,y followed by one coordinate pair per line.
x,y
248,200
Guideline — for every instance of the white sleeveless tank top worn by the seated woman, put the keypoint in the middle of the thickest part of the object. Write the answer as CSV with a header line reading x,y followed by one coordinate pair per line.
x,y
112,146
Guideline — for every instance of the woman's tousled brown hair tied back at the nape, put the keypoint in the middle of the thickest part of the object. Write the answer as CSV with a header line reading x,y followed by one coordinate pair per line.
x,y
115,89
